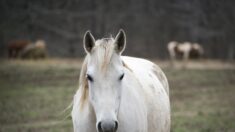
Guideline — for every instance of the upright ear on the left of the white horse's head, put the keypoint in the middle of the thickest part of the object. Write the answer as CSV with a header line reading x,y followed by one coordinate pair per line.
x,y
88,42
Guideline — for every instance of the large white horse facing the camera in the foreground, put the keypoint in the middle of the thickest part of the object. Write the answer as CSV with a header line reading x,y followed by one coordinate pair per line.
x,y
117,93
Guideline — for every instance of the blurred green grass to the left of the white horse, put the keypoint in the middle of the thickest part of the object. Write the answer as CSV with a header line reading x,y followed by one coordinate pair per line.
x,y
33,96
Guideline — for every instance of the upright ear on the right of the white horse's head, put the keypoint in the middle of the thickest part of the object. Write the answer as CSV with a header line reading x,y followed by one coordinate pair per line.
x,y
120,41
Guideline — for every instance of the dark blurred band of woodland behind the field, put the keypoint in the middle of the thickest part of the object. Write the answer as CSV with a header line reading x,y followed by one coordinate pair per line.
x,y
149,24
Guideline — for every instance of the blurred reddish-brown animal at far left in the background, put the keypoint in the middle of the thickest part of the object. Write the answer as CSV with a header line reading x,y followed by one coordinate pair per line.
x,y
15,47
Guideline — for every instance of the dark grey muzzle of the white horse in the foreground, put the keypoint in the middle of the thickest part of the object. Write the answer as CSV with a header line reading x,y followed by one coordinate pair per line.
x,y
107,126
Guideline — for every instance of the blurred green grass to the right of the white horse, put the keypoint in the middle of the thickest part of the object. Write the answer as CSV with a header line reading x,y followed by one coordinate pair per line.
x,y
202,100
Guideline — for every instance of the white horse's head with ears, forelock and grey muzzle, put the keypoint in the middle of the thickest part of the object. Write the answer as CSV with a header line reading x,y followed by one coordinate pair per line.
x,y
104,76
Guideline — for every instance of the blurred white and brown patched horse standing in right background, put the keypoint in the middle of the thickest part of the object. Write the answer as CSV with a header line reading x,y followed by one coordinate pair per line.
x,y
184,50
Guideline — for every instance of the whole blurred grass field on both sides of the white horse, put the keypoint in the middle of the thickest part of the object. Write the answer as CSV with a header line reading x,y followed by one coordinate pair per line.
x,y
33,95
